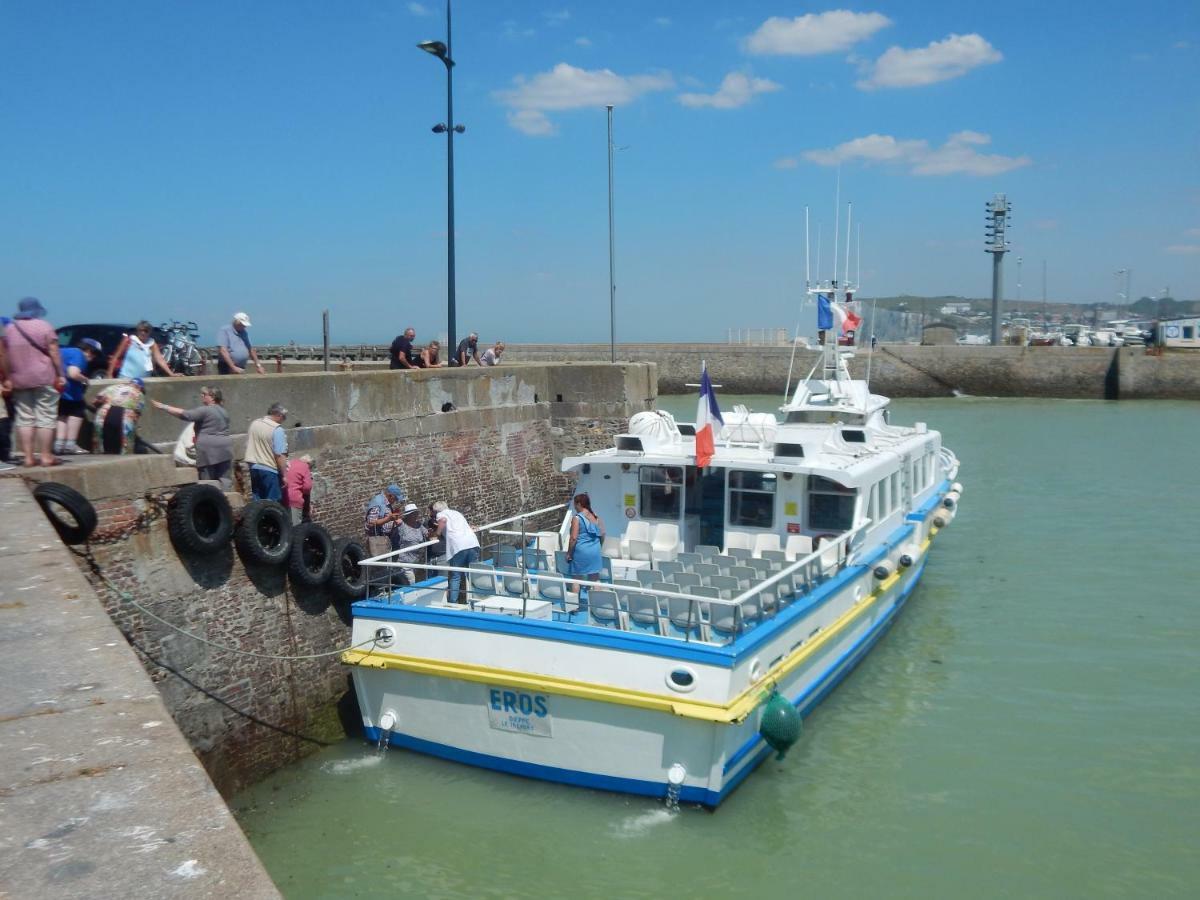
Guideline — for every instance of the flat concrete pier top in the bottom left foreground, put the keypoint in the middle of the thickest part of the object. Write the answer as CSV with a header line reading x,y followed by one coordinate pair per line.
x,y
100,794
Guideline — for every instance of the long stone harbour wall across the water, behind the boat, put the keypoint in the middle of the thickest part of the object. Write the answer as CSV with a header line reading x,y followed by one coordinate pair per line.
x,y
913,371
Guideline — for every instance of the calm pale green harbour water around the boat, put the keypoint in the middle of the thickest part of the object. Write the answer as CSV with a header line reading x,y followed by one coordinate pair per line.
x,y
1030,727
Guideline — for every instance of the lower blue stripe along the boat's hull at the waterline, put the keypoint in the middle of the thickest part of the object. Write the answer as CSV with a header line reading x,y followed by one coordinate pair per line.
x,y
657,789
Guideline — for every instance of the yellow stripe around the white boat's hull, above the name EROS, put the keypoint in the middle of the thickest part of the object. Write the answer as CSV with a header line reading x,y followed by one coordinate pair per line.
x,y
734,711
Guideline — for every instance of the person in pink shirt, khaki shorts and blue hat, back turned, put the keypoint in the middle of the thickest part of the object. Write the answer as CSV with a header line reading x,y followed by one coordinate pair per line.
x,y
34,376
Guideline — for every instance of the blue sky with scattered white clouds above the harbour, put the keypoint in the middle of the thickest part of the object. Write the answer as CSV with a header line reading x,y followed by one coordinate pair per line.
x,y
190,160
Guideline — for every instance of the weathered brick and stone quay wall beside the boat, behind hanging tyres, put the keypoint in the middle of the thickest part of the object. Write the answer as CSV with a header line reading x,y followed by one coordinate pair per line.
x,y
497,454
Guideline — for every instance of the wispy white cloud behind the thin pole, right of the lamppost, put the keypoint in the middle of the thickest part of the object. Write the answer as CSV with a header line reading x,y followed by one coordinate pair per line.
x,y
569,88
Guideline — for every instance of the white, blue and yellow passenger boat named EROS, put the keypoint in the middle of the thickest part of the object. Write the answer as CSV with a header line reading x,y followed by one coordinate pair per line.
x,y
736,595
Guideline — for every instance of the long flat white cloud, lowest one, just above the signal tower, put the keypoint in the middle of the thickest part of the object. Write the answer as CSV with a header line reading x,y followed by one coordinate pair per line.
x,y
957,157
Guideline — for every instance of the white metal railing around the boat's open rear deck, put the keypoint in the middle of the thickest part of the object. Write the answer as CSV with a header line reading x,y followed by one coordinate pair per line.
x,y
649,608
